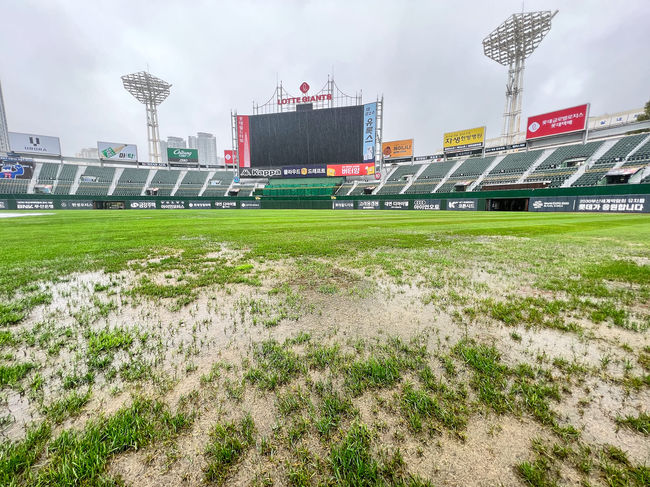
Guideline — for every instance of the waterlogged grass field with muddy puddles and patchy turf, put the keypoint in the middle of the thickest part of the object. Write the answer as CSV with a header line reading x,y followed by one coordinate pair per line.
x,y
324,348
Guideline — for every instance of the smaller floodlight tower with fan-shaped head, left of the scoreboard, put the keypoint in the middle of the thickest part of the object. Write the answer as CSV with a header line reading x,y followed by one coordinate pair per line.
x,y
152,92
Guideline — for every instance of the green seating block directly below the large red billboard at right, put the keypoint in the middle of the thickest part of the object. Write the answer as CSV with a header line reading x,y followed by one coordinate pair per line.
x,y
554,168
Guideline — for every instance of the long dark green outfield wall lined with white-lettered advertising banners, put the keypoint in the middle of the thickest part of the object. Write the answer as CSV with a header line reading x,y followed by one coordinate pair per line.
x,y
630,198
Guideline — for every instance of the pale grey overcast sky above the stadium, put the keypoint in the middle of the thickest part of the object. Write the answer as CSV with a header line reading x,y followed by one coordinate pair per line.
x,y
61,62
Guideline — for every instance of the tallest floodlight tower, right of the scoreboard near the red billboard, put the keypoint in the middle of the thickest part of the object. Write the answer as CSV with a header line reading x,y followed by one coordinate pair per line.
x,y
510,44
